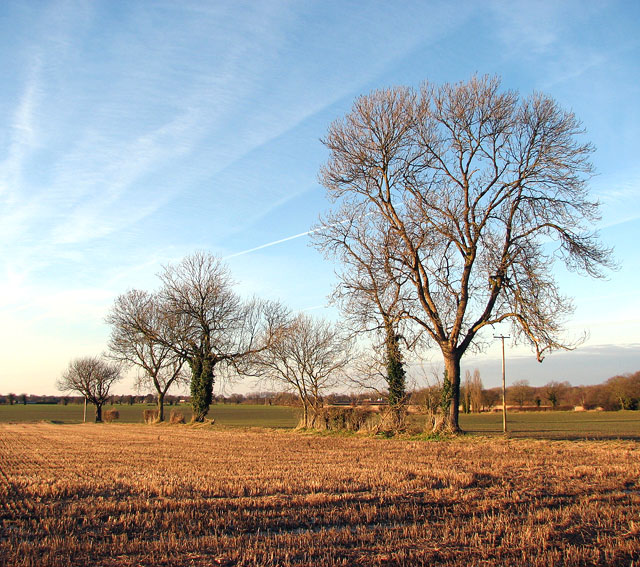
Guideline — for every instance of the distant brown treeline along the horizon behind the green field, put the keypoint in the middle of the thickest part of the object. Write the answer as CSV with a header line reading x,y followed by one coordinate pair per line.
x,y
618,392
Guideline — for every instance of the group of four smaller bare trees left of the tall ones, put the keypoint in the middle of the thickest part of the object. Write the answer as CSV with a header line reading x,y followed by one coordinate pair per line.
x,y
196,326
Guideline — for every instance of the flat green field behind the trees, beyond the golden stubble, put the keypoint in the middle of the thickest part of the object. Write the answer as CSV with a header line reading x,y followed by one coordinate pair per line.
x,y
550,425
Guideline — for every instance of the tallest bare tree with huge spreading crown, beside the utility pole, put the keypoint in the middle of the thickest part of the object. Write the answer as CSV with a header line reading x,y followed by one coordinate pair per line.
x,y
470,188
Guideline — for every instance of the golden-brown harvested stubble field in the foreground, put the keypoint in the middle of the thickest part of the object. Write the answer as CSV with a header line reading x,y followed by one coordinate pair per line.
x,y
136,495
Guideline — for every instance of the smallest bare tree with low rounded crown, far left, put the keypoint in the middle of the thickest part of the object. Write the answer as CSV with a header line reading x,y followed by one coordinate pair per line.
x,y
91,377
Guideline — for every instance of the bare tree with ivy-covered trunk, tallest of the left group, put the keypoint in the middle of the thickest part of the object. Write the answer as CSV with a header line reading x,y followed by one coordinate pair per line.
x,y
212,325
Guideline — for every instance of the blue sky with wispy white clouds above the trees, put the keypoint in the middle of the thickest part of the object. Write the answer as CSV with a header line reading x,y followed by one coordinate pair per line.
x,y
134,133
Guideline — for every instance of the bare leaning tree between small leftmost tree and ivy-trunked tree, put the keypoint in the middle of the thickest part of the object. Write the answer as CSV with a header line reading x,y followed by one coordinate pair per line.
x,y
143,335
